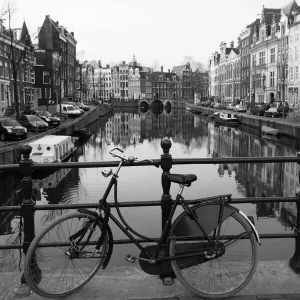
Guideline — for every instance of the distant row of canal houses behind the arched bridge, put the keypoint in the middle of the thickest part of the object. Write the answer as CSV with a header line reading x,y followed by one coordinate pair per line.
x,y
132,81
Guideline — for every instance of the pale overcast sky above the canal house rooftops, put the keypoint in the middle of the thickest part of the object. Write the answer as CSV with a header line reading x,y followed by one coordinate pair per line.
x,y
161,31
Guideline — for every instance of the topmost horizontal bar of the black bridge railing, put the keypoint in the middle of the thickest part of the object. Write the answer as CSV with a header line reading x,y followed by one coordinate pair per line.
x,y
178,161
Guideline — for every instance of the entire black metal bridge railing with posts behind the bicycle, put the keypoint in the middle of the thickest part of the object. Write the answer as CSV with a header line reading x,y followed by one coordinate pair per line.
x,y
28,206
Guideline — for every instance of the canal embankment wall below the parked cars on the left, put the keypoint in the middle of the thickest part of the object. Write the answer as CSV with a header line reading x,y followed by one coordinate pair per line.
x,y
10,153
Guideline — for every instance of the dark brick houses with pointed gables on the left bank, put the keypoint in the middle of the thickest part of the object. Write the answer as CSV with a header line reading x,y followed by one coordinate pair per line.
x,y
39,67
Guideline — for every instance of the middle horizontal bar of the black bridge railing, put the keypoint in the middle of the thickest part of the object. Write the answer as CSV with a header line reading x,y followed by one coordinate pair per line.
x,y
251,200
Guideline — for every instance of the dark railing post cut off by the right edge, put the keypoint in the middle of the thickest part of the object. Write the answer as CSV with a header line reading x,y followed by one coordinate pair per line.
x,y
295,260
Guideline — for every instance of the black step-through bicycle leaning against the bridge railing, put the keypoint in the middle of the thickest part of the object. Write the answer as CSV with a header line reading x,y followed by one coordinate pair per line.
x,y
207,259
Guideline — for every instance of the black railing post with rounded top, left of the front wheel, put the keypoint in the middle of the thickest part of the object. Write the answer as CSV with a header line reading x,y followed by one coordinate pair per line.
x,y
27,205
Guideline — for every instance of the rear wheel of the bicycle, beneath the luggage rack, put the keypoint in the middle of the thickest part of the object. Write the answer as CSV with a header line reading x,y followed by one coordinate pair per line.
x,y
185,268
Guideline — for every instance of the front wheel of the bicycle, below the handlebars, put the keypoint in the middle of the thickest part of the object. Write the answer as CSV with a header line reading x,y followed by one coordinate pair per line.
x,y
43,274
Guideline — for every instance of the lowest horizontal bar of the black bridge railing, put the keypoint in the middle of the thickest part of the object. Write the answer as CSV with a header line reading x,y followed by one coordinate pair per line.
x,y
128,241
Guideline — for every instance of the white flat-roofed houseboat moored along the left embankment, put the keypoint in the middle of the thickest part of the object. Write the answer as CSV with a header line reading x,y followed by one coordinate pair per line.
x,y
52,149
